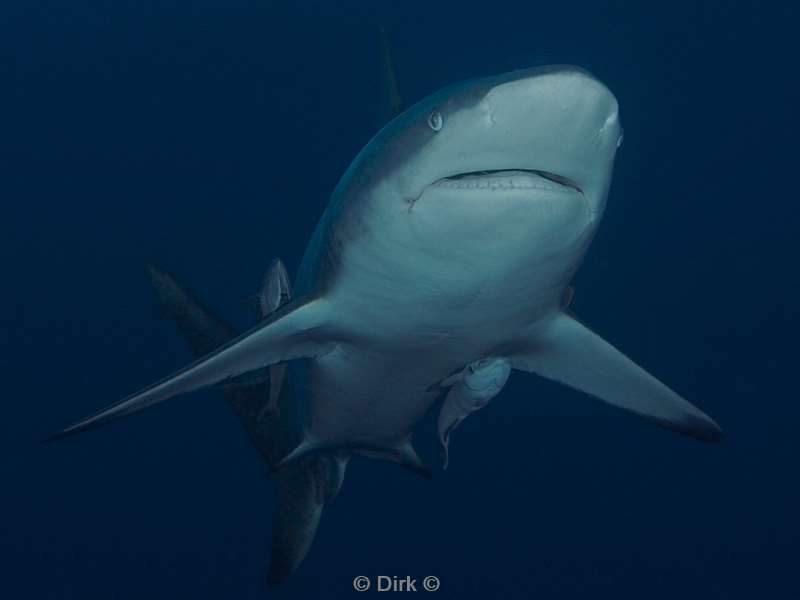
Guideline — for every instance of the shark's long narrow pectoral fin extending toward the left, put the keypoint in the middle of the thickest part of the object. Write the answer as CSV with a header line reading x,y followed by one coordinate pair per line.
x,y
295,331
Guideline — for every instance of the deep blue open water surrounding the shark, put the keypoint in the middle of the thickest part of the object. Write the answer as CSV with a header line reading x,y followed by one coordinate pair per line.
x,y
208,135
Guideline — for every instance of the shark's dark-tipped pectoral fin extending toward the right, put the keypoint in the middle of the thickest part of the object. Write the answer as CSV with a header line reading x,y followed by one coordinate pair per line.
x,y
570,353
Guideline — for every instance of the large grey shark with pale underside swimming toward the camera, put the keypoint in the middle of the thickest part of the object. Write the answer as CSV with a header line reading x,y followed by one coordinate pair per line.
x,y
440,267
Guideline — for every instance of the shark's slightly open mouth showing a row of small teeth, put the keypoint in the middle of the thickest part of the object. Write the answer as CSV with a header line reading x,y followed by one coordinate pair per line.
x,y
509,179
